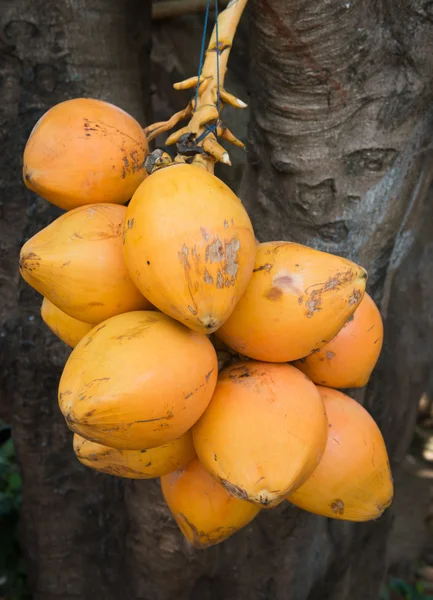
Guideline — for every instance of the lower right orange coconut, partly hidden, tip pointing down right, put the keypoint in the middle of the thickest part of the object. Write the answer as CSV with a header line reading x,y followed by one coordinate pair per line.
x,y
353,481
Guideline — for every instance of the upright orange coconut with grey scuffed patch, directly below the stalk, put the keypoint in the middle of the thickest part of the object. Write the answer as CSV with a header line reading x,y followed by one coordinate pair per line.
x,y
189,245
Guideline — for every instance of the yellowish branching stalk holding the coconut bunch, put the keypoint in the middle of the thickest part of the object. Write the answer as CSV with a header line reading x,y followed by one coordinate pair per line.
x,y
204,110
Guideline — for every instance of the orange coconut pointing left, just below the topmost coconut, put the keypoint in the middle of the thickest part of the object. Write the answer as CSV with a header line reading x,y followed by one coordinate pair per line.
x,y
77,263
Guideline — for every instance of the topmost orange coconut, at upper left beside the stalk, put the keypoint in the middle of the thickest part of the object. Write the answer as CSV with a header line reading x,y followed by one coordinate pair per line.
x,y
84,151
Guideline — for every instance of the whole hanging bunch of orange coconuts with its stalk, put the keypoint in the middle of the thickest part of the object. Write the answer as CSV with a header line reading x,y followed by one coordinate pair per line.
x,y
199,355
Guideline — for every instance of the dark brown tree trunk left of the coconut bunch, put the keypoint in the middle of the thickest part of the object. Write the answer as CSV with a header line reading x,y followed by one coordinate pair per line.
x,y
73,523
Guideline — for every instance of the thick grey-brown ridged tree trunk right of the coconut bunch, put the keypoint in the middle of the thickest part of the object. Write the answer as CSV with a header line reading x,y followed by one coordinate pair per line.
x,y
340,159
